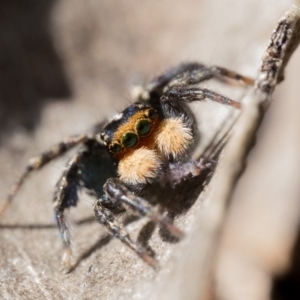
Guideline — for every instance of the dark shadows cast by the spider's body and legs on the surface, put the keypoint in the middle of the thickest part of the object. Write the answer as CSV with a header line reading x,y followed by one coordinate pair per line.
x,y
175,201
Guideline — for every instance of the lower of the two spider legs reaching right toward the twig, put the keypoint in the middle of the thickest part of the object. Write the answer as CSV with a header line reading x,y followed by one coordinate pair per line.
x,y
196,94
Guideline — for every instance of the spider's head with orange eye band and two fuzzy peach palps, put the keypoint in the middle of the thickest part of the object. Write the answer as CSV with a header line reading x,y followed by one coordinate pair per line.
x,y
143,139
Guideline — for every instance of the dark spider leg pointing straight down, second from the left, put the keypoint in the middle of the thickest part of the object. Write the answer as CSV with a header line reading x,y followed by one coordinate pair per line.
x,y
65,197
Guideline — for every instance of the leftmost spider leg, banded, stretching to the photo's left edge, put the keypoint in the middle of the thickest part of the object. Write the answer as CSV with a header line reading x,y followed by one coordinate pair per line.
x,y
38,162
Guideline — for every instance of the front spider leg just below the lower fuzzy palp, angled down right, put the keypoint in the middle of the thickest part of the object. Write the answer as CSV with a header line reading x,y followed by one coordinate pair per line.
x,y
118,192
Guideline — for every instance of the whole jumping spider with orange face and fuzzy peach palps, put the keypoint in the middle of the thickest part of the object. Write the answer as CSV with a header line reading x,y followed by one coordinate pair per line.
x,y
140,150
